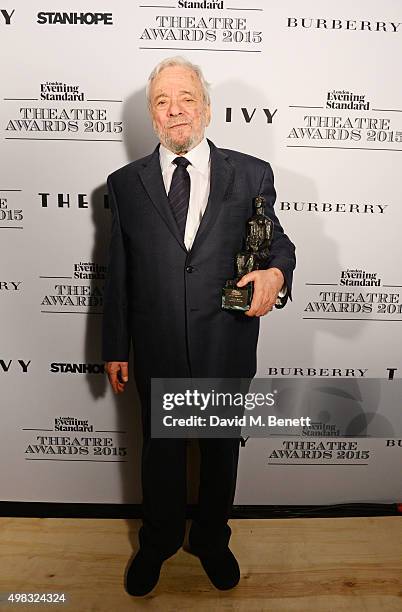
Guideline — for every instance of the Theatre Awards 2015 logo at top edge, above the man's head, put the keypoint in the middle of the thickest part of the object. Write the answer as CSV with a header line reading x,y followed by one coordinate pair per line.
x,y
241,32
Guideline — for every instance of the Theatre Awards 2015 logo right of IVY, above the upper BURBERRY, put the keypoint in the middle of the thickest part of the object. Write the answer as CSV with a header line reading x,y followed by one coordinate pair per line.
x,y
354,123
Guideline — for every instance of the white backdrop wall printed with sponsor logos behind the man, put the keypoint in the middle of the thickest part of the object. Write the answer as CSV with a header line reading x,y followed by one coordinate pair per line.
x,y
312,87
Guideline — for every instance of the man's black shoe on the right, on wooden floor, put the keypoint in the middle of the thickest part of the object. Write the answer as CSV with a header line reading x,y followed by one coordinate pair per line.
x,y
221,568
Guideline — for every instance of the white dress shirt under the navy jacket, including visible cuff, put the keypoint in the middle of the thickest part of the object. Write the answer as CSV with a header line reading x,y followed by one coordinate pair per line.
x,y
199,171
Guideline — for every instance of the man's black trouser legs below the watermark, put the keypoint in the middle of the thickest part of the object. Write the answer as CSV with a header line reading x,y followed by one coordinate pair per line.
x,y
164,487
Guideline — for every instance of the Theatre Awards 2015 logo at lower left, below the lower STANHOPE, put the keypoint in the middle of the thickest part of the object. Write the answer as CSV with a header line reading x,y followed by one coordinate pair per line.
x,y
73,439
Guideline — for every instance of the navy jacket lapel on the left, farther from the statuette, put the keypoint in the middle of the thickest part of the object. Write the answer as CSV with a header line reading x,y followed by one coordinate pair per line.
x,y
152,180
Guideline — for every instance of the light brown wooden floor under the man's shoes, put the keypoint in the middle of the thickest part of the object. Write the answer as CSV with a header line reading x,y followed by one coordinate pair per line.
x,y
289,565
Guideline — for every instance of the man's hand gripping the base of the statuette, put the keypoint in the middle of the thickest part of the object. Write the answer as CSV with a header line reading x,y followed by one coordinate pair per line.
x,y
267,284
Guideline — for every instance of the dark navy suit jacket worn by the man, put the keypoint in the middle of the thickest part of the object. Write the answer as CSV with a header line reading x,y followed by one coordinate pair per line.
x,y
167,300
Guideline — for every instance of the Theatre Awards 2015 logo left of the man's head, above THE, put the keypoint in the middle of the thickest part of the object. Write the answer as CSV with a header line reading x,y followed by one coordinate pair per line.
x,y
89,121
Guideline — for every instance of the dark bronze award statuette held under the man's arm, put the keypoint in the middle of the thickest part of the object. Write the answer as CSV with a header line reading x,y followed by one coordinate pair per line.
x,y
259,230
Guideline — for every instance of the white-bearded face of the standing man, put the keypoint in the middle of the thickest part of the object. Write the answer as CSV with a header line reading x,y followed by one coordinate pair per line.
x,y
179,113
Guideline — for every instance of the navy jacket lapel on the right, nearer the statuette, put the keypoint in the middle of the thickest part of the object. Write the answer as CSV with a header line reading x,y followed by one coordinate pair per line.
x,y
221,180
